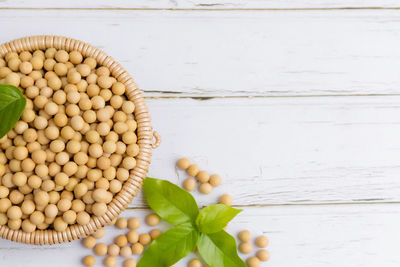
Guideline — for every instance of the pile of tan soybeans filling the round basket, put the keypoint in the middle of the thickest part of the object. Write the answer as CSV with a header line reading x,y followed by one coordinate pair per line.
x,y
74,146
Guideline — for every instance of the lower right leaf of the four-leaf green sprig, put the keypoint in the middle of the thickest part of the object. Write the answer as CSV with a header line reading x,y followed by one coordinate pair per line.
x,y
219,250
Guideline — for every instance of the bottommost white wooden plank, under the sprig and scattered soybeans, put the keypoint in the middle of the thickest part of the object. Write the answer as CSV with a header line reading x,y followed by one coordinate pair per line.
x,y
329,236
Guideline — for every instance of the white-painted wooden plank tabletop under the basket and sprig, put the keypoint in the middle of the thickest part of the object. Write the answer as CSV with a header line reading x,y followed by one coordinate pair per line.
x,y
296,105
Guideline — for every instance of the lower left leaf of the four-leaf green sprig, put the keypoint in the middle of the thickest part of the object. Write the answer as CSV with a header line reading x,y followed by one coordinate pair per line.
x,y
170,247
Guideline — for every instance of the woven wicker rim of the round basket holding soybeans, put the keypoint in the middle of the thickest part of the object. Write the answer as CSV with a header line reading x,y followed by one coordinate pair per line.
x,y
144,132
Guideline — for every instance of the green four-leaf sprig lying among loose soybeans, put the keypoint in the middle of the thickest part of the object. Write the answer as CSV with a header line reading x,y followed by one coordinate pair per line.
x,y
194,228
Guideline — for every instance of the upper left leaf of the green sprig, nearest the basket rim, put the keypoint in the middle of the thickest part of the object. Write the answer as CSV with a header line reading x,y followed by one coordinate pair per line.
x,y
171,202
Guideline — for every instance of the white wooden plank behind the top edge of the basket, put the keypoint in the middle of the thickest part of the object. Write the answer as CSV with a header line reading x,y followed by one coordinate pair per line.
x,y
251,53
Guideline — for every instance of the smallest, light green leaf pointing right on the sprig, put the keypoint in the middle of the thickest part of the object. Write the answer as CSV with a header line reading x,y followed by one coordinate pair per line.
x,y
214,218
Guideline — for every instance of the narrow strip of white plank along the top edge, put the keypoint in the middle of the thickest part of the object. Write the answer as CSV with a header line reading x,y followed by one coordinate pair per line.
x,y
200,4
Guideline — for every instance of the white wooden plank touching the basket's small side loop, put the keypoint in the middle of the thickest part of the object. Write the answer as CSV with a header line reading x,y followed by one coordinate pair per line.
x,y
284,150
